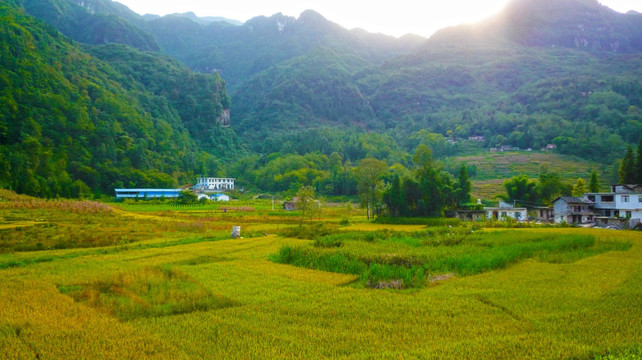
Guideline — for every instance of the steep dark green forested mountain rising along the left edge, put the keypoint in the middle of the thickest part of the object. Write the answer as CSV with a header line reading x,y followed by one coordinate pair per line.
x,y
72,125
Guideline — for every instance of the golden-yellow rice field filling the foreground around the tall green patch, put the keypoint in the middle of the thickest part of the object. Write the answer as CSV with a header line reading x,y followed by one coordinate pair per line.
x,y
180,289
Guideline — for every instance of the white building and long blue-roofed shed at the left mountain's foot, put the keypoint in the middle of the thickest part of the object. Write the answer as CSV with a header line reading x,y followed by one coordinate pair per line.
x,y
205,188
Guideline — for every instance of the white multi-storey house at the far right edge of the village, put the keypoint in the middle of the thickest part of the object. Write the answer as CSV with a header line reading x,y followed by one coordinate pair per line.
x,y
624,201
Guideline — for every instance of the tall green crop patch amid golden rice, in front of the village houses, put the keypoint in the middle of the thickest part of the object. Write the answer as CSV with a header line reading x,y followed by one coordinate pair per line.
x,y
408,259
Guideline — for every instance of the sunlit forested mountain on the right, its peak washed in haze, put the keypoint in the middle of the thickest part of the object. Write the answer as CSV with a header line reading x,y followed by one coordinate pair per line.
x,y
565,72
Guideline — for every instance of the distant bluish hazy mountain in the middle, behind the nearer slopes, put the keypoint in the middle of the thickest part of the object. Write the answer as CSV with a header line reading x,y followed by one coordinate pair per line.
x,y
238,52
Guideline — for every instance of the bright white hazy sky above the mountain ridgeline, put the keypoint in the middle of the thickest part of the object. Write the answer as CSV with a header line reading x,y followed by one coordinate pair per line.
x,y
396,17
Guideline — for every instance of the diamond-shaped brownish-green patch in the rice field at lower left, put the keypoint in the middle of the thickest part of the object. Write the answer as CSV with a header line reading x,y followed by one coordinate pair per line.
x,y
147,292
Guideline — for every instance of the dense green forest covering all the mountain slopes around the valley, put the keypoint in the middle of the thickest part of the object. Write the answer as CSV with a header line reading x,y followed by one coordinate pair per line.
x,y
95,96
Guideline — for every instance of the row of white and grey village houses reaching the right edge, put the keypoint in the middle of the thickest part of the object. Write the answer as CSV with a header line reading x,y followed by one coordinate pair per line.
x,y
620,208
